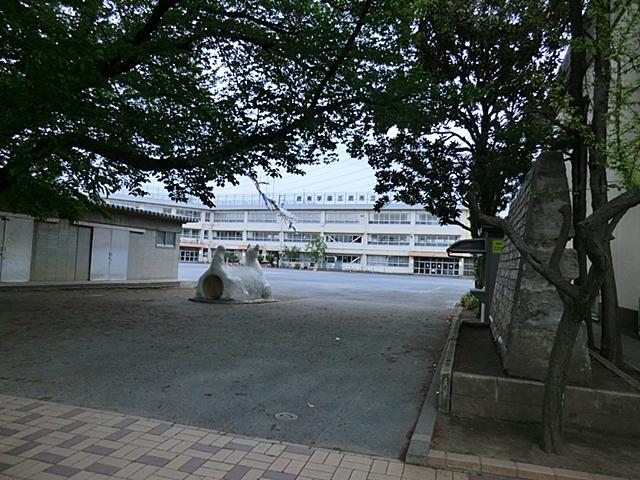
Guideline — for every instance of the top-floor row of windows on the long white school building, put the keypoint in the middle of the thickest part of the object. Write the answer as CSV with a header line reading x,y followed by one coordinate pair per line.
x,y
388,218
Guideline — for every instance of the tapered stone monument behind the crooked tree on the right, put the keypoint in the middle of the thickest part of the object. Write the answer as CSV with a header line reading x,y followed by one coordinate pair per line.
x,y
526,308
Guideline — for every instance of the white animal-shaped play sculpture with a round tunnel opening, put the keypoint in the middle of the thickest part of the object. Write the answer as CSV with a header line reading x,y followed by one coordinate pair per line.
x,y
242,283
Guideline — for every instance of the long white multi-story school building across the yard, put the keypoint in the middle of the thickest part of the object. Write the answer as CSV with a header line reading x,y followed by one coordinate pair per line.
x,y
398,239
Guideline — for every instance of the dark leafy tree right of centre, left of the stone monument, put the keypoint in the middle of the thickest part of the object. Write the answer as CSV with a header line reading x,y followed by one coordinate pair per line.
x,y
472,97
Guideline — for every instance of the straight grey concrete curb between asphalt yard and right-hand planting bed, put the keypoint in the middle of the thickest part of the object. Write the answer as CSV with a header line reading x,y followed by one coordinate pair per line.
x,y
417,453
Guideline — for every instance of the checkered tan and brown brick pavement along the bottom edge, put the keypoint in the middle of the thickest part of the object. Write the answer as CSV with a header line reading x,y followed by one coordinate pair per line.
x,y
49,441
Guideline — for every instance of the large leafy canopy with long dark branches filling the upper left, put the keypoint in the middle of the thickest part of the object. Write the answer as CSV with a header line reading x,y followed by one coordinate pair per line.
x,y
98,95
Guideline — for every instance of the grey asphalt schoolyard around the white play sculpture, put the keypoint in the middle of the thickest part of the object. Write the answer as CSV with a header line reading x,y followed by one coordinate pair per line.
x,y
349,354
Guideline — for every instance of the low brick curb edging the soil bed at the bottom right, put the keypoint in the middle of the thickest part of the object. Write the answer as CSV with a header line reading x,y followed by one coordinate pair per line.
x,y
480,465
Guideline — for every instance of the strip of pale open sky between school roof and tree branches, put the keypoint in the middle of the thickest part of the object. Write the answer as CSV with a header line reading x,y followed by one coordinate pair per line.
x,y
345,175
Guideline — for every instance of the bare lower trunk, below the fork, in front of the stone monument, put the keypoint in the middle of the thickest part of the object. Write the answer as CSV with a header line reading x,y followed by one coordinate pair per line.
x,y
555,384
